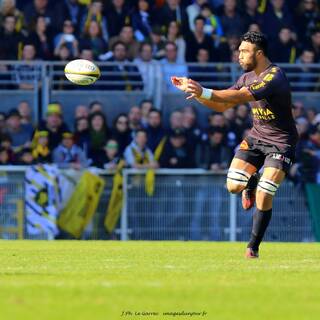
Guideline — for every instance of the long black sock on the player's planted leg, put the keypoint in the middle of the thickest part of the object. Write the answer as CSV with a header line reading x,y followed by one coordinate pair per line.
x,y
261,221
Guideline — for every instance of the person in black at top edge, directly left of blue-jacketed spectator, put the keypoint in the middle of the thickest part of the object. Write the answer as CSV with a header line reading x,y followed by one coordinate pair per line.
x,y
117,16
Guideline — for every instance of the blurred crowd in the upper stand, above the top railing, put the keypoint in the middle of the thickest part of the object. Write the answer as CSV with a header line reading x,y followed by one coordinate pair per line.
x,y
93,29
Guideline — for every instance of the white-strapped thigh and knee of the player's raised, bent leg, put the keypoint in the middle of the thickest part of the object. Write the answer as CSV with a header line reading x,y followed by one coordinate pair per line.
x,y
239,174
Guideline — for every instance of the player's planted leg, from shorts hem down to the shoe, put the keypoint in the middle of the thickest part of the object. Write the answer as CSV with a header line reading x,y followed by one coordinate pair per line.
x,y
267,187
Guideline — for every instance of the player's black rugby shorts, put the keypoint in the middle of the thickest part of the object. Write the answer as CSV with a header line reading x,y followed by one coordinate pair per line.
x,y
259,153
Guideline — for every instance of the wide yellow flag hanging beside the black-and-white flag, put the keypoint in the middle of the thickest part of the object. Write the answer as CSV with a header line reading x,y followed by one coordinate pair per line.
x,y
82,205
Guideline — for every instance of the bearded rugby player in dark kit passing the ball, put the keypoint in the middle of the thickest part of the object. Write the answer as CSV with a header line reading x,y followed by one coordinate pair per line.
x,y
272,139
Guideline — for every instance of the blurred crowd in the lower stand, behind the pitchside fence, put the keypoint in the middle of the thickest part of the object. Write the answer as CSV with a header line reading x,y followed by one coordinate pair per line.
x,y
144,140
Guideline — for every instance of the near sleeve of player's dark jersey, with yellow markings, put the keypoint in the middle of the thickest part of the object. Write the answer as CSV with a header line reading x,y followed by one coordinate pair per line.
x,y
267,86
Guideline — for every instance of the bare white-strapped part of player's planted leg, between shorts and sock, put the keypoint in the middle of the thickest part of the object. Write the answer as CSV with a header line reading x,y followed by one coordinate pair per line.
x,y
267,187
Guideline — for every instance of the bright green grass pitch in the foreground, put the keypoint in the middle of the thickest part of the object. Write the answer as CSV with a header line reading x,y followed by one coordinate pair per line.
x,y
117,280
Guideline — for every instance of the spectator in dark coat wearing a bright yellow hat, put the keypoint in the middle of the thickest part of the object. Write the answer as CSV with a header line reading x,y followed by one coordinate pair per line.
x,y
54,125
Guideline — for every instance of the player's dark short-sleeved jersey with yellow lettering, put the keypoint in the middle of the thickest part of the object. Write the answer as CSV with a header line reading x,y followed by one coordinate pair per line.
x,y
272,118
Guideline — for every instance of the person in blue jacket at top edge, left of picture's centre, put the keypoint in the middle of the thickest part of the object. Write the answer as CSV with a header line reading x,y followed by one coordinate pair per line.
x,y
141,21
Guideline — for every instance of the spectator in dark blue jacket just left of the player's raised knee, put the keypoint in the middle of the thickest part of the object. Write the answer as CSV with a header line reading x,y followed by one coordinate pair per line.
x,y
216,156
